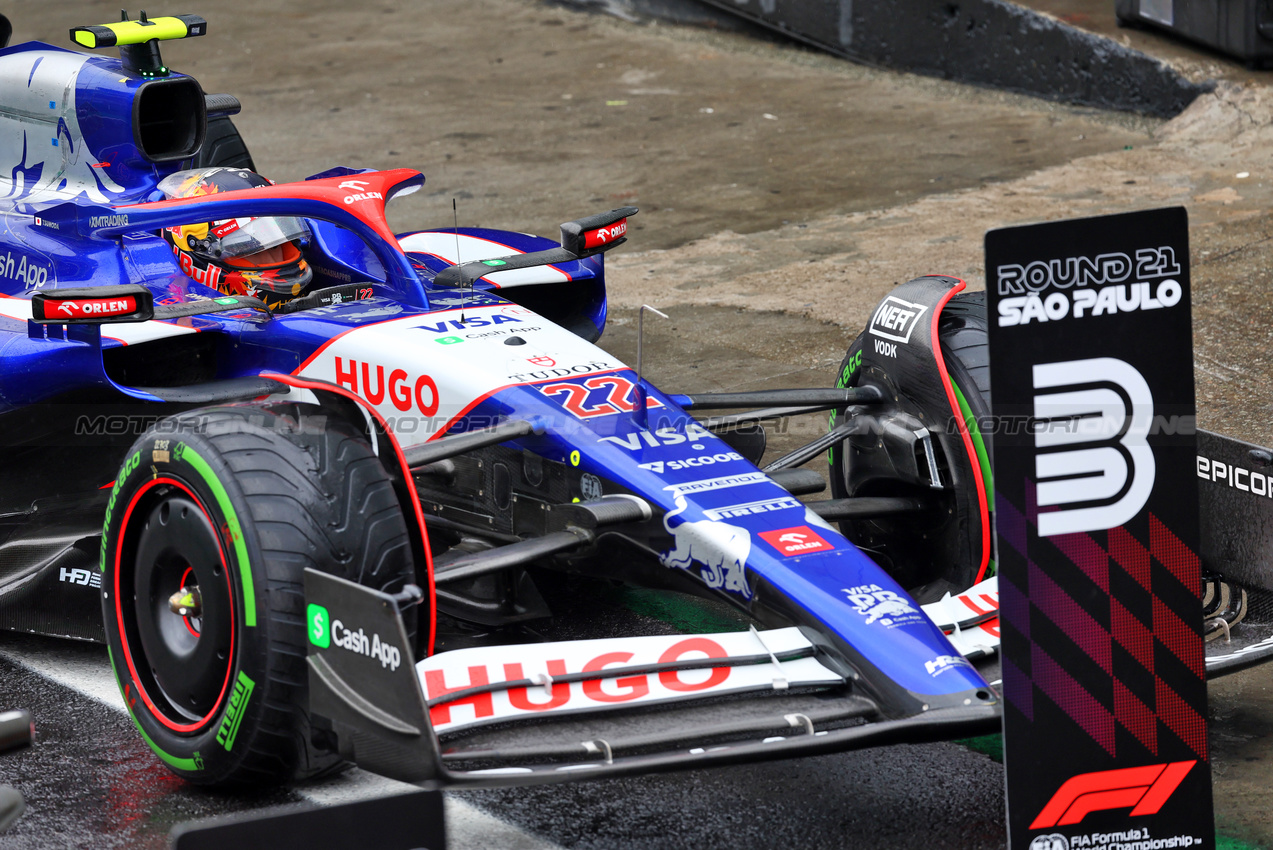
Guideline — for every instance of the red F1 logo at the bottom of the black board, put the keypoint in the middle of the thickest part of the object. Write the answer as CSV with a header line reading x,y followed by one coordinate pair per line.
x,y
1144,790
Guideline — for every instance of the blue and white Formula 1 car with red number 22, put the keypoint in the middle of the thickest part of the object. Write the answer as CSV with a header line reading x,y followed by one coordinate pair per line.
x,y
274,456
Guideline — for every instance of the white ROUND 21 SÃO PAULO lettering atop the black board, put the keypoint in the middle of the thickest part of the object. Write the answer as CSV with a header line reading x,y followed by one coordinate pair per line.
x,y
1103,286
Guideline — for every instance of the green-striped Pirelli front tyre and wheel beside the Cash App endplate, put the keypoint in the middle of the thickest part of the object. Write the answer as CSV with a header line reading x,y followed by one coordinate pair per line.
x,y
211,525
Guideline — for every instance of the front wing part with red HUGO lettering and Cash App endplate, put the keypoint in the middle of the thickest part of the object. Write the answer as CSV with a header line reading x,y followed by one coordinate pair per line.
x,y
780,700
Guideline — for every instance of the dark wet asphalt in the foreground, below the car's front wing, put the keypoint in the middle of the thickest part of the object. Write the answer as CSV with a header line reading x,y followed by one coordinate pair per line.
x,y
90,782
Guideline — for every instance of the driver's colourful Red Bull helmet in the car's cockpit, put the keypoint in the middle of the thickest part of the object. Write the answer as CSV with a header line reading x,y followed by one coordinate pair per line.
x,y
248,256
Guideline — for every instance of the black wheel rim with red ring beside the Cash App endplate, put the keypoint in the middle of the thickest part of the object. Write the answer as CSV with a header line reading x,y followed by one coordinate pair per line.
x,y
180,665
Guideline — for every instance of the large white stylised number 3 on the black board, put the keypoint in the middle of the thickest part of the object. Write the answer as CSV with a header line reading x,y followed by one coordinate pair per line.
x,y
1090,445
